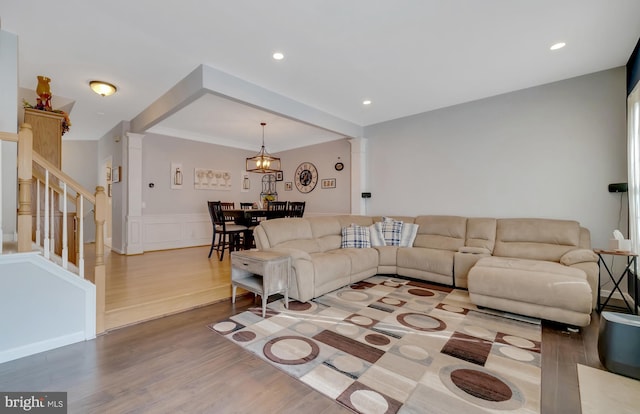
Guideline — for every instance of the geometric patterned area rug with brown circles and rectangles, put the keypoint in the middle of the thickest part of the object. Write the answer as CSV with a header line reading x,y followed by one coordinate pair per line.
x,y
390,345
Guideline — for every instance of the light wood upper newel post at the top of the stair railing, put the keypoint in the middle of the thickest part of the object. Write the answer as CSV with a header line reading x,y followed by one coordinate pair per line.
x,y
25,175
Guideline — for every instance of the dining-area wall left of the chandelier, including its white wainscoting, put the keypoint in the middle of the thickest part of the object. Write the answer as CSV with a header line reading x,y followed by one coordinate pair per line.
x,y
179,217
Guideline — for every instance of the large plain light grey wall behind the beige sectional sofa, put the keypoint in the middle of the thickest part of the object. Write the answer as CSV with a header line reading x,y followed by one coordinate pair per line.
x,y
548,151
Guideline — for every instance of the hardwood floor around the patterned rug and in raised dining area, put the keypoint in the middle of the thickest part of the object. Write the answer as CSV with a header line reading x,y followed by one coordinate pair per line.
x,y
176,364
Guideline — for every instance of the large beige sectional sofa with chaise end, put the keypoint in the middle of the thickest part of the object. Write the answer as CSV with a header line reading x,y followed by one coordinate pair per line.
x,y
538,267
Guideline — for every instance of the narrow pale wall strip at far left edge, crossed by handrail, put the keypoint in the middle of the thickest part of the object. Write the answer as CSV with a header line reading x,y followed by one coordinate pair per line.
x,y
8,123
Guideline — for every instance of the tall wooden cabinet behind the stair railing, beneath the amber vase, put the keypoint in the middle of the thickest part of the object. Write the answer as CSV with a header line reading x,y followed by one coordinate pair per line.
x,y
47,141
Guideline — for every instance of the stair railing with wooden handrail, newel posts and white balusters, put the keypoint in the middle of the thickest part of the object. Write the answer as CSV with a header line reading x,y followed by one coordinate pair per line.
x,y
54,188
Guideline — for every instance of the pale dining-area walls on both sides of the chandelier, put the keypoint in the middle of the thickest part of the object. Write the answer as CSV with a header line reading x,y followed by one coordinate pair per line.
x,y
179,217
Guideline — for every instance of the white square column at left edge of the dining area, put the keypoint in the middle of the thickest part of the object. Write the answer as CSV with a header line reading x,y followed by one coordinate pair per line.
x,y
134,244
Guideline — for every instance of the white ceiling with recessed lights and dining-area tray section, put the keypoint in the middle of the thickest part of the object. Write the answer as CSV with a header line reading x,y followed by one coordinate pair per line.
x,y
406,56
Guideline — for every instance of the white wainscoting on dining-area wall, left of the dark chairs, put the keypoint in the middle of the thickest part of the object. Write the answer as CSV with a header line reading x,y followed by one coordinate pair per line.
x,y
174,231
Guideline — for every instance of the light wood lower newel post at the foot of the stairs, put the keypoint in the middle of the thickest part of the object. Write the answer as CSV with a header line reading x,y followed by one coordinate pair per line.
x,y
100,274
